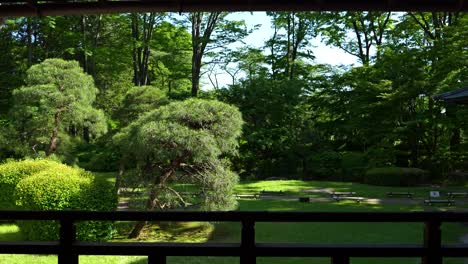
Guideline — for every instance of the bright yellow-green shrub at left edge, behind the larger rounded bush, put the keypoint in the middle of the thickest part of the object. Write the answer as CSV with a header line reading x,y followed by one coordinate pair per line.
x,y
12,172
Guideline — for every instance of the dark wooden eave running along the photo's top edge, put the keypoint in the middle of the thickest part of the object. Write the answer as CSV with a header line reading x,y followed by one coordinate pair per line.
x,y
77,7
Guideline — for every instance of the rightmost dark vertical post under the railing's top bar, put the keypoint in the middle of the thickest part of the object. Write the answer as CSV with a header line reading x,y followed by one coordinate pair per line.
x,y
432,242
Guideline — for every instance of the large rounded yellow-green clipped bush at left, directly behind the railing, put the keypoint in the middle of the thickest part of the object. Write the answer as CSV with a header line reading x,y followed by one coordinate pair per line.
x,y
67,189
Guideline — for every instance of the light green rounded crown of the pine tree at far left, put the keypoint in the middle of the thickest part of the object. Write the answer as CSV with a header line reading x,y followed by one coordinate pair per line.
x,y
58,96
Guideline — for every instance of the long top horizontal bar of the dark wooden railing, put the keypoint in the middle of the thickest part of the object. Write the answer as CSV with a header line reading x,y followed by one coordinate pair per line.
x,y
236,216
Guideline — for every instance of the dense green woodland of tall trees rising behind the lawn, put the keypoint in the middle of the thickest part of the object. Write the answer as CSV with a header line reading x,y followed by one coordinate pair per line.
x,y
300,119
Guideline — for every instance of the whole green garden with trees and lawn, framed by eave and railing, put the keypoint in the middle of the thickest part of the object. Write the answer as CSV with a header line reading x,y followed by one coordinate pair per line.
x,y
127,112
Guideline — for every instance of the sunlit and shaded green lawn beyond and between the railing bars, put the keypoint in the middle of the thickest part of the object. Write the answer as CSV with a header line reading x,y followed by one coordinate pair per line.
x,y
369,233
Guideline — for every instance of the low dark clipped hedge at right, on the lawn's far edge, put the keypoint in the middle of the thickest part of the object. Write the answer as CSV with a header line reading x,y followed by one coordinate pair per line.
x,y
395,176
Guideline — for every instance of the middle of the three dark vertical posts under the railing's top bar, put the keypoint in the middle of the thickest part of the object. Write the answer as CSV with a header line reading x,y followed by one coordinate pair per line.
x,y
248,242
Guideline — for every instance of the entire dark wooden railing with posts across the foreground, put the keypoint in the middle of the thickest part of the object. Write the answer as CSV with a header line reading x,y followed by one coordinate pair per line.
x,y
431,250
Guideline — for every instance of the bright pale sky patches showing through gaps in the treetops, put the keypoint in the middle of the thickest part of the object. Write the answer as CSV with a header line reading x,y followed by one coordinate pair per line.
x,y
324,54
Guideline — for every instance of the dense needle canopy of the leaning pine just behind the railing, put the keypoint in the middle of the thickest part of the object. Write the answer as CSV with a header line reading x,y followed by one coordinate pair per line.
x,y
189,138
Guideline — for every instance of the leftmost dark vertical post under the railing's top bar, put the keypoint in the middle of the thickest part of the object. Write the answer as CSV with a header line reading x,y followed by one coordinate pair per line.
x,y
67,237
